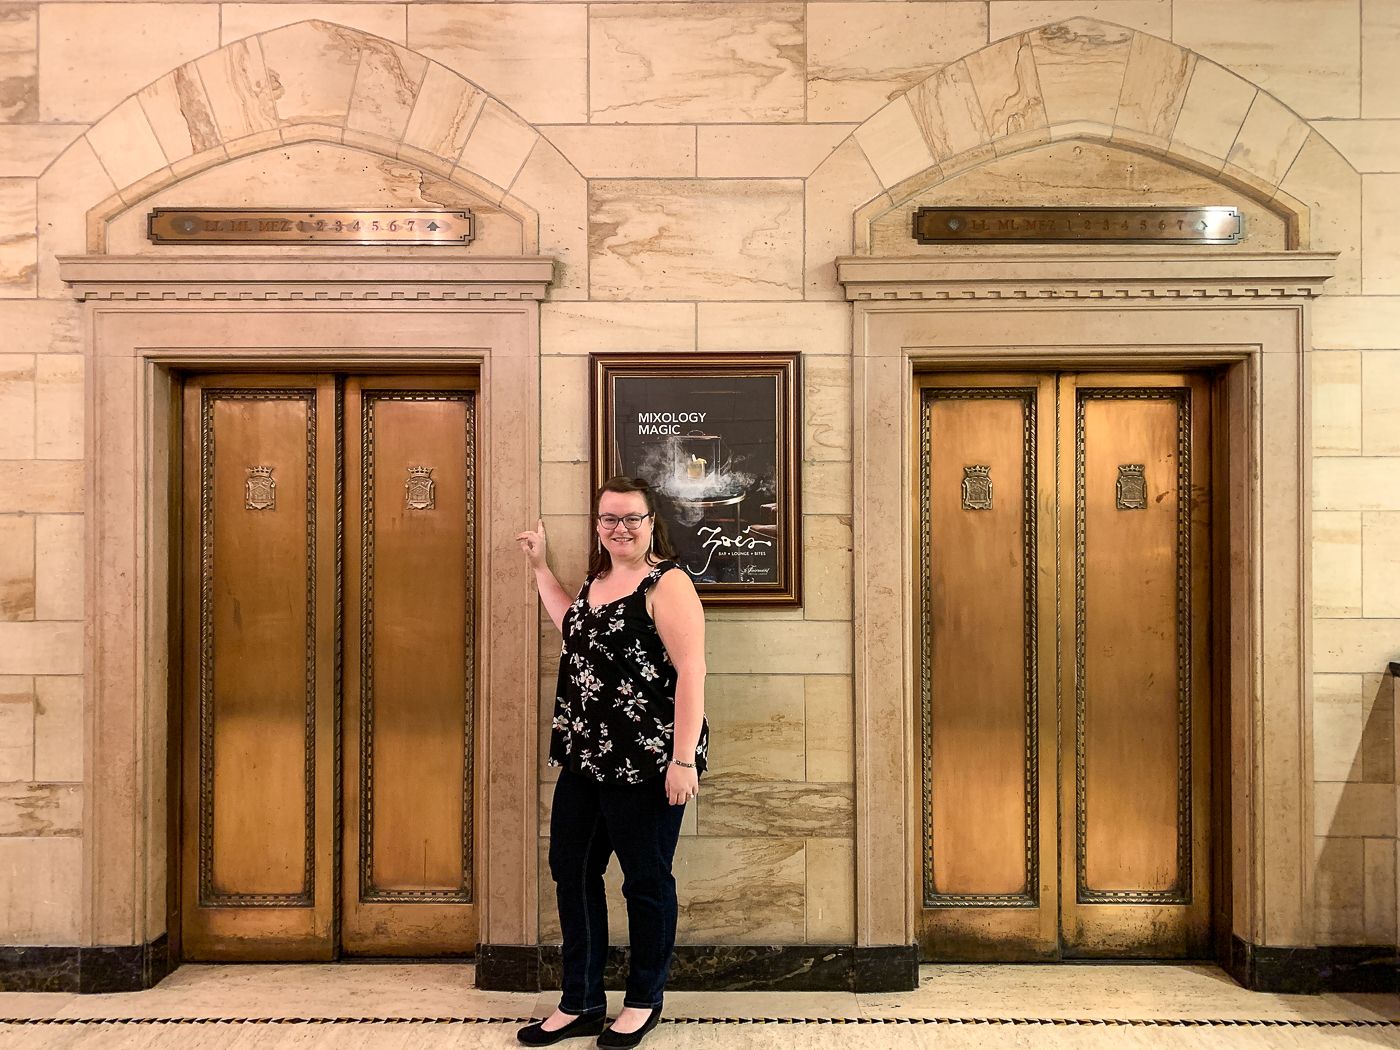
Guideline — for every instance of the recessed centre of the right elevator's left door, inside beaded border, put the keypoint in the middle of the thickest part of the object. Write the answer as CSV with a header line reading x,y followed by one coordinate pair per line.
x,y
979,796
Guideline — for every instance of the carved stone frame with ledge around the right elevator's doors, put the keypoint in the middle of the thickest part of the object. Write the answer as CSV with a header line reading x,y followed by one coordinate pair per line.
x,y
1097,309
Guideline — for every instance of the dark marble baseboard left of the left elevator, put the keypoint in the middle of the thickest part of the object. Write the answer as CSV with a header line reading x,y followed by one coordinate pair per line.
x,y
87,971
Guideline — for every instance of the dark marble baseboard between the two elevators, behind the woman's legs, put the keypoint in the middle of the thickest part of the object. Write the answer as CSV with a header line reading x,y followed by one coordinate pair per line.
x,y
719,968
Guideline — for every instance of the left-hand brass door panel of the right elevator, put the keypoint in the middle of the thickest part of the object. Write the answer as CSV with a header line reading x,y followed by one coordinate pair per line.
x,y
981,538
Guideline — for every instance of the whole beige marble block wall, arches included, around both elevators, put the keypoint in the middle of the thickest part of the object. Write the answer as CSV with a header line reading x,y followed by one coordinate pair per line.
x,y
696,169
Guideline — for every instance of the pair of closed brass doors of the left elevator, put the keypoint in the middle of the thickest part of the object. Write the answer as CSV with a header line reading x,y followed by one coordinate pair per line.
x,y
330,667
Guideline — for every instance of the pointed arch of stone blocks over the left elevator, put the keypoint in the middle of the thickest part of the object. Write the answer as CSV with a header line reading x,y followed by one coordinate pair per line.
x,y
314,82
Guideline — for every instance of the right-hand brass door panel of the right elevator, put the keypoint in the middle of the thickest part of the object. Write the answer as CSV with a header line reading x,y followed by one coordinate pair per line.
x,y
1137,703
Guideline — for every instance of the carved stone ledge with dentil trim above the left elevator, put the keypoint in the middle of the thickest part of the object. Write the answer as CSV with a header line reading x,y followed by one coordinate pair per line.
x,y
306,278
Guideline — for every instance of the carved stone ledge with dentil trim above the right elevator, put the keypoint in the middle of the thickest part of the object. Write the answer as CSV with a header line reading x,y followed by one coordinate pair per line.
x,y
1160,276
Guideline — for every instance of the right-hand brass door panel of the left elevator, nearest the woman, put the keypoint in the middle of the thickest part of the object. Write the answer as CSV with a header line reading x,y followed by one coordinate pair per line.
x,y
411,670
